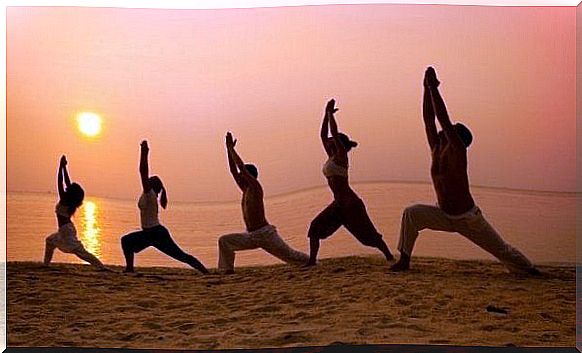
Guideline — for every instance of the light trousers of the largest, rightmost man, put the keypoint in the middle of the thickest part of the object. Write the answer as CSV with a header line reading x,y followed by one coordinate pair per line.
x,y
472,225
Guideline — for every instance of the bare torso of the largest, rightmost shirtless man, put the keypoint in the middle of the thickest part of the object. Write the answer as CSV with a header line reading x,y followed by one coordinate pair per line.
x,y
450,179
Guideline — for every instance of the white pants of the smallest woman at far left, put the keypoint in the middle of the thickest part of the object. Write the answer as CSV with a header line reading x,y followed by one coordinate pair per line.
x,y
65,239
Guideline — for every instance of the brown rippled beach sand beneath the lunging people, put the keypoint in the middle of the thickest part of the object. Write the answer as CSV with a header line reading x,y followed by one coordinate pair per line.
x,y
352,300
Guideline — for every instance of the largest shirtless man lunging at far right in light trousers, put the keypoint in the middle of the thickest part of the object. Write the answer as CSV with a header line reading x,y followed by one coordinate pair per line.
x,y
456,210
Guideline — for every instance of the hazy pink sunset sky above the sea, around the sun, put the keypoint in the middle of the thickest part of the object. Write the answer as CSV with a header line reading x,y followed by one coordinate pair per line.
x,y
182,78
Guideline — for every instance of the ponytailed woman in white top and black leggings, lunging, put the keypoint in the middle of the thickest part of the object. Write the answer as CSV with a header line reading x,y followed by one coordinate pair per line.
x,y
153,233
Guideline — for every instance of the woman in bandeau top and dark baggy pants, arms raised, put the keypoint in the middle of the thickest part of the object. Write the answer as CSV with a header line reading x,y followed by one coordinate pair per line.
x,y
347,209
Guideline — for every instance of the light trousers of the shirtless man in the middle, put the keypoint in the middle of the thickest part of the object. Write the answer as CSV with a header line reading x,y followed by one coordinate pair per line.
x,y
265,238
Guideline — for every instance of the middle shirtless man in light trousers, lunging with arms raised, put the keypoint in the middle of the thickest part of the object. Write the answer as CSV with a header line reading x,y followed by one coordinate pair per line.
x,y
259,234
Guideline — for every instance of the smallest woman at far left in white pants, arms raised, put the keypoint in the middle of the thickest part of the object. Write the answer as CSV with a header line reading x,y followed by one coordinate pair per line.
x,y
71,197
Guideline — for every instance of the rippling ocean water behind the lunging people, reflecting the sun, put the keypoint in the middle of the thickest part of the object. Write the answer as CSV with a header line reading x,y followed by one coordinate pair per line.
x,y
541,224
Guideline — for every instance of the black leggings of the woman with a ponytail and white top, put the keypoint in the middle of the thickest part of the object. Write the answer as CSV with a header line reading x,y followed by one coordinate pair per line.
x,y
159,238
